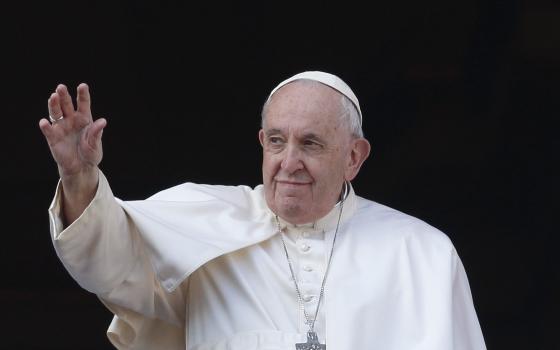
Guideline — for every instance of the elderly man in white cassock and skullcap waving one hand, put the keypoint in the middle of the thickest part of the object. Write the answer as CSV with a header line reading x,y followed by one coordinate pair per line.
x,y
296,263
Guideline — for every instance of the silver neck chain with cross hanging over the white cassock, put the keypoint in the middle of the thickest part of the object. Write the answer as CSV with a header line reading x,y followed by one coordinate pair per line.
x,y
312,340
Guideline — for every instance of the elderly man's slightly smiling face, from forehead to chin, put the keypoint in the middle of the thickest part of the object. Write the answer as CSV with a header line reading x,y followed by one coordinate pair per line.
x,y
306,151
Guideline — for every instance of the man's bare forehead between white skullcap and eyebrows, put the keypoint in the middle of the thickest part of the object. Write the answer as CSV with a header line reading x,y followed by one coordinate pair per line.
x,y
304,104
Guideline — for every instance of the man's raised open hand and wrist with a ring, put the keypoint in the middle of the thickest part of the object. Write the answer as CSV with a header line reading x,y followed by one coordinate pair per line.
x,y
74,139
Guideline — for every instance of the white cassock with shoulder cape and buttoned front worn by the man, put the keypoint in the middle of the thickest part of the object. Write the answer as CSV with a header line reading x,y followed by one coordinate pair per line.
x,y
202,267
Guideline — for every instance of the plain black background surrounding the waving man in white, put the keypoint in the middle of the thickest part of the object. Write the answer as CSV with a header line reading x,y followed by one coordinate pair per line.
x,y
459,101
